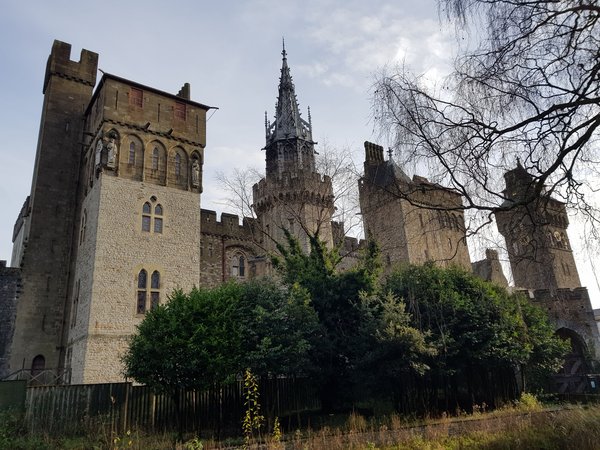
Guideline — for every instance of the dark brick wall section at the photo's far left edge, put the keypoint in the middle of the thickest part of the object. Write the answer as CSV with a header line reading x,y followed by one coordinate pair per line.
x,y
10,282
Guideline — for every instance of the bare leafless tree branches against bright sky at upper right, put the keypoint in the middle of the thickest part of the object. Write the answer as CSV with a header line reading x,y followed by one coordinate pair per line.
x,y
528,90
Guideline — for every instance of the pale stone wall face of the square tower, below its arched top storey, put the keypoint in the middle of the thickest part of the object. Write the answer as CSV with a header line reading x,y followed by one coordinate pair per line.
x,y
120,251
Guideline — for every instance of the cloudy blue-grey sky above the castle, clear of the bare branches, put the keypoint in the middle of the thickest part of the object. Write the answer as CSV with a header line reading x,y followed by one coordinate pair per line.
x,y
230,53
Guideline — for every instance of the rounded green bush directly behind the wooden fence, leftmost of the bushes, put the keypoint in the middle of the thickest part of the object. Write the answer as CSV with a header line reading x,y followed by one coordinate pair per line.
x,y
210,336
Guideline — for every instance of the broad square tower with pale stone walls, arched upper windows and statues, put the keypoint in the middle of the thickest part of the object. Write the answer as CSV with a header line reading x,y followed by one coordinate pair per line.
x,y
138,229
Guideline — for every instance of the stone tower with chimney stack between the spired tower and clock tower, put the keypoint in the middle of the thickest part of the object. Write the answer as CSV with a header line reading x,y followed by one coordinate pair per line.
x,y
413,221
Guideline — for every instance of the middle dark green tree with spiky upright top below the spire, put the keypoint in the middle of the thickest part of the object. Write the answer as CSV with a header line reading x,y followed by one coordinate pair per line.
x,y
364,338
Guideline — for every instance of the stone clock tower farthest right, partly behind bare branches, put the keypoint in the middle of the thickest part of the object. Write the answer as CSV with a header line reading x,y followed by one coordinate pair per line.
x,y
535,230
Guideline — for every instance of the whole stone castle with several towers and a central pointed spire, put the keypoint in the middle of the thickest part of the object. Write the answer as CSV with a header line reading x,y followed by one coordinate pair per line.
x,y
114,222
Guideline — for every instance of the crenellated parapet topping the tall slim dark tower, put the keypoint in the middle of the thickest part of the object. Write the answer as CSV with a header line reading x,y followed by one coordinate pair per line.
x,y
60,64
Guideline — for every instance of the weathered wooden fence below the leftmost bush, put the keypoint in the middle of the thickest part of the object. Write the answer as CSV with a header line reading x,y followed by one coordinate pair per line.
x,y
119,407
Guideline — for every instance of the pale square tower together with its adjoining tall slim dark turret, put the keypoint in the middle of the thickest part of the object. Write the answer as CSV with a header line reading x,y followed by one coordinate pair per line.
x,y
112,224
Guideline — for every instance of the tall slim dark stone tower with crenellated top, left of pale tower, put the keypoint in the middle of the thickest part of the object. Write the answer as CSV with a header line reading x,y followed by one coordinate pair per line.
x,y
46,240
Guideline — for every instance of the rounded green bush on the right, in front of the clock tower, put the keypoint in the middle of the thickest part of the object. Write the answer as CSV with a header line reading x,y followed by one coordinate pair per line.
x,y
482,332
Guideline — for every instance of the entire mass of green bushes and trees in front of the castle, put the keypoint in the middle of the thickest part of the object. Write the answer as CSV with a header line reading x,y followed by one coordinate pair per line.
x,y
425,340
